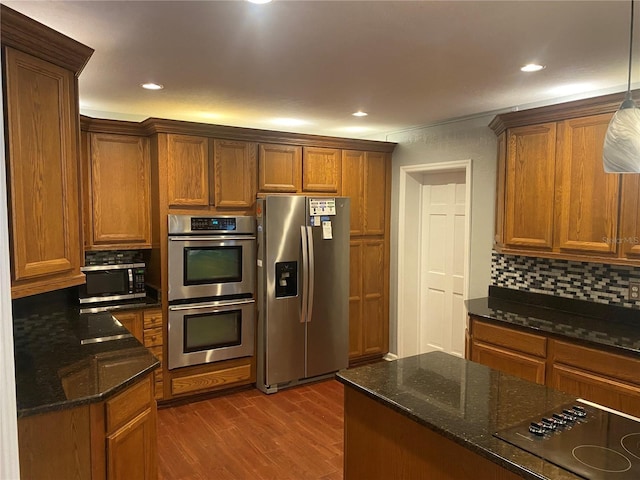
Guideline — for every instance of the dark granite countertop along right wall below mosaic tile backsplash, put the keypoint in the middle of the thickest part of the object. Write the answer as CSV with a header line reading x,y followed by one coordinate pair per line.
x,y
614,327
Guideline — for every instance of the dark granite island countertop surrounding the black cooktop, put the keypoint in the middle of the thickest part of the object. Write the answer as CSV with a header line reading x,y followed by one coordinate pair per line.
x,y
465,402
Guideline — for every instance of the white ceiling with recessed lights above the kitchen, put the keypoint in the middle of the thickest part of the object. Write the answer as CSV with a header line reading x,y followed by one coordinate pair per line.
x,y
406,63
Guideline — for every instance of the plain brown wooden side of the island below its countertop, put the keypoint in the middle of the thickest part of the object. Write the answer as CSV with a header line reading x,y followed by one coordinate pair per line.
x,y
380,443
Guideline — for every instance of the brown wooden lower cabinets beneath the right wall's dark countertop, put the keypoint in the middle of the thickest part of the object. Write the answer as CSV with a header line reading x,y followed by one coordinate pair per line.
x,y
591,373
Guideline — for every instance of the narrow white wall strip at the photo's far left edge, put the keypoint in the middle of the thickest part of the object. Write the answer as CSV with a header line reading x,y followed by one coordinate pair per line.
x,y
8,426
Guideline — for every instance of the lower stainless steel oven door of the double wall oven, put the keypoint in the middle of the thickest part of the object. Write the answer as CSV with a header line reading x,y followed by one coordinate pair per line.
x,y
211,331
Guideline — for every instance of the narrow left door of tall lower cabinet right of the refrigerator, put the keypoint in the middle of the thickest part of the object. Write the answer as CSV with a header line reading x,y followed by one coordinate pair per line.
x,y
355,299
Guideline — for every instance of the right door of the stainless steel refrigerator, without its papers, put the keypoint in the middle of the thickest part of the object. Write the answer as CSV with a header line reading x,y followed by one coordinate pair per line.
x,y
328,325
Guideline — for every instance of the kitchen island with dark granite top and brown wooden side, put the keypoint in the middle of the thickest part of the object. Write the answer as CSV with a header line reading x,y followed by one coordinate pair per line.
x,y
434,415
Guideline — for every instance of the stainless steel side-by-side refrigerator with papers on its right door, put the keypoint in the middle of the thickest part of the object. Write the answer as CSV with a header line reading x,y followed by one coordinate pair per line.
x,y
303,289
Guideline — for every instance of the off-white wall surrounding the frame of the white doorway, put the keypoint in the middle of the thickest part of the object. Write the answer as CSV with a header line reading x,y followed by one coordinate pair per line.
x,y
452,141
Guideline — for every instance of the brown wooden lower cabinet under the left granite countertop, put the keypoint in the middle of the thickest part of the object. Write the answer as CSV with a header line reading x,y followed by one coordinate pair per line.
x,y
111,440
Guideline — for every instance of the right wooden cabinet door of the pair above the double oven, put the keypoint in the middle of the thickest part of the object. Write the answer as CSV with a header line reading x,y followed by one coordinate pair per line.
x,y
234,166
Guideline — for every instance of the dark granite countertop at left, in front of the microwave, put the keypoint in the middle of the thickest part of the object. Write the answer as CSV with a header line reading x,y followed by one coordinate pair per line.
x,y
59,364
